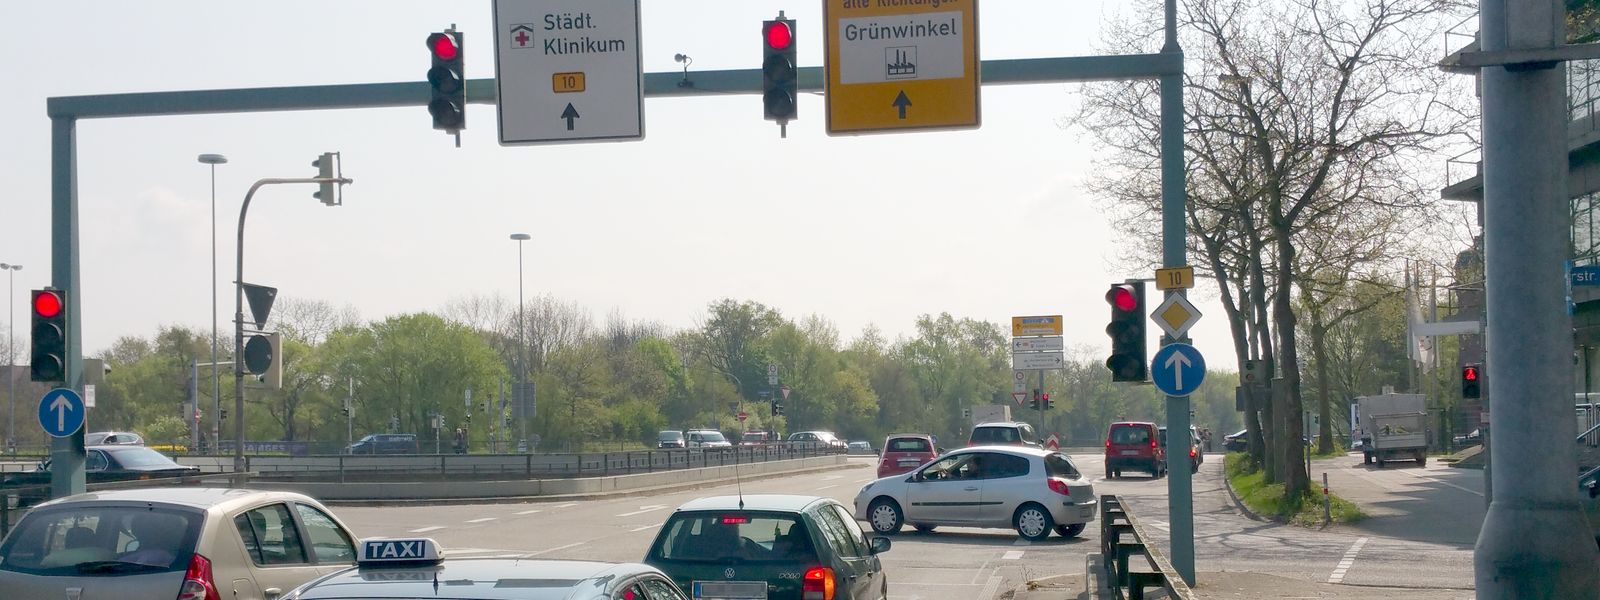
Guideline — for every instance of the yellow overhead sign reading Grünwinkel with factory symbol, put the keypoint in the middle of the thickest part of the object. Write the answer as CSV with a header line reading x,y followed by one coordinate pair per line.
x,y
902,65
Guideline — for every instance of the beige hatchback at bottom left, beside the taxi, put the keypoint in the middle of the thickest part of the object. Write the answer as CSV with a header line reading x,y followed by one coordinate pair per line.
x,y
172,543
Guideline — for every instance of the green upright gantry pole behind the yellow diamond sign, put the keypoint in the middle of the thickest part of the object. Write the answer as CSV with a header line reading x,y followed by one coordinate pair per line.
x,y
1180,484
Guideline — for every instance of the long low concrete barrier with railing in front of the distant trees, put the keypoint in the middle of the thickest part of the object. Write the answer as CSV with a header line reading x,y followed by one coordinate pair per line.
x,y
346,468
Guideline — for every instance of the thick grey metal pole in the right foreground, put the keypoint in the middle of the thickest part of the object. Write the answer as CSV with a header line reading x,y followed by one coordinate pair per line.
x,y
1535,542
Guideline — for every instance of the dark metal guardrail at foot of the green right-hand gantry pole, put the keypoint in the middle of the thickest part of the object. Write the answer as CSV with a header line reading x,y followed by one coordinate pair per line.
x,y
1116,554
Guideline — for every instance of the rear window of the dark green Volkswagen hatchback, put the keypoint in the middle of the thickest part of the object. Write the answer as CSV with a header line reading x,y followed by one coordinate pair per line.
x,y
734,537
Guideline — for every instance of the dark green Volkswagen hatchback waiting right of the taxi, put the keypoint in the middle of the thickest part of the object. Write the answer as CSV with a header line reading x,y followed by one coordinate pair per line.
x,y
777,548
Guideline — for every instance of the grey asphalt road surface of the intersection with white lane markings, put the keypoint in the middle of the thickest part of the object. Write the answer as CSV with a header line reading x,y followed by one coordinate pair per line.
x,y
956,564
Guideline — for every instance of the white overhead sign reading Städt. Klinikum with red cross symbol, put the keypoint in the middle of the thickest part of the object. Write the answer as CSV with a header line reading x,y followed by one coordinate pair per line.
x,y
569,71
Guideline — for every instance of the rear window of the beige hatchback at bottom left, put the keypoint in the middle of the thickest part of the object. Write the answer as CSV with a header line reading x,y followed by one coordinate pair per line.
x,y
102,540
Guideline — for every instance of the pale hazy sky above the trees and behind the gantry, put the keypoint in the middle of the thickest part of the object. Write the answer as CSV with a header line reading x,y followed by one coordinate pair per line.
x,y
871,230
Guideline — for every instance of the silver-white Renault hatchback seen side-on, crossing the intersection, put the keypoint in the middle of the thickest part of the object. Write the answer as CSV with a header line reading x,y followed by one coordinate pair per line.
x,y
1004,487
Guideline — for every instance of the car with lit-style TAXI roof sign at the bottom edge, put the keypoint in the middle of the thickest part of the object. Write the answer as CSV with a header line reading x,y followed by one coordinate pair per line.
x,y
417,569
